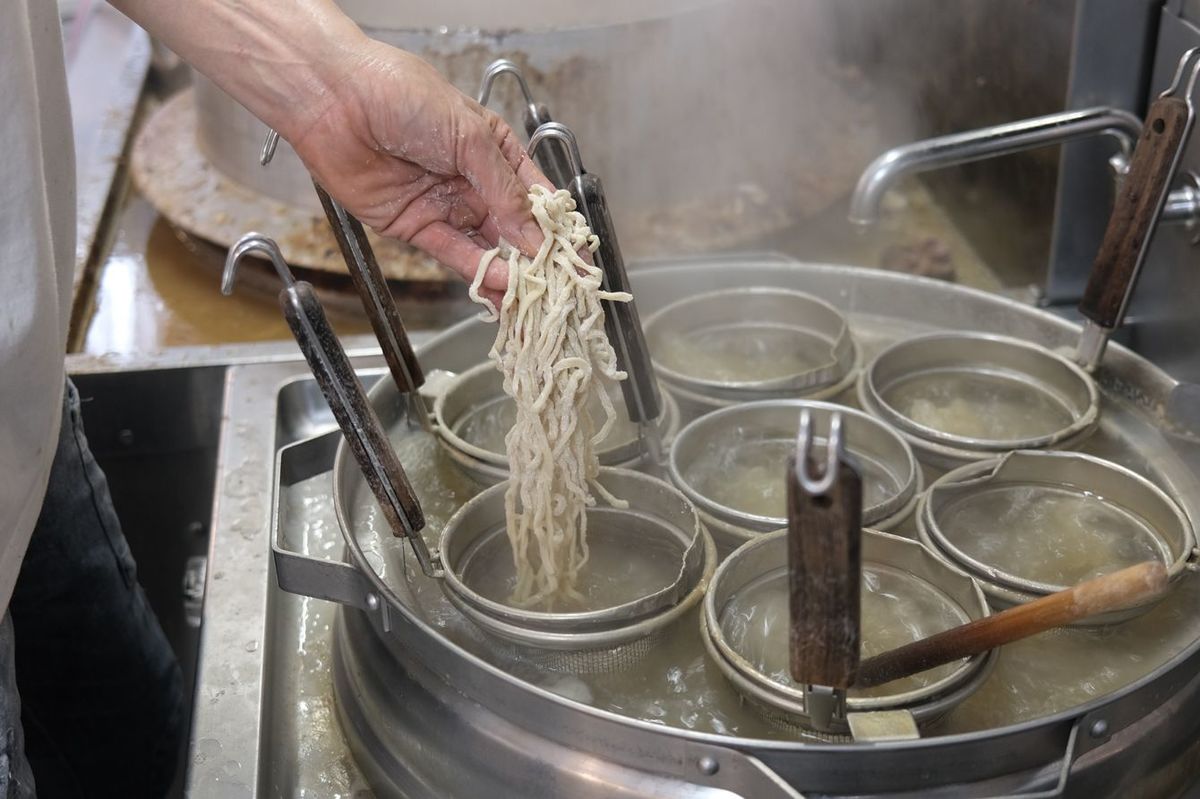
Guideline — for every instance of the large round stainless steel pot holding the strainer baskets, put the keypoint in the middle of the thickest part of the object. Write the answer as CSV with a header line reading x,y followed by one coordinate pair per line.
x,y
424,717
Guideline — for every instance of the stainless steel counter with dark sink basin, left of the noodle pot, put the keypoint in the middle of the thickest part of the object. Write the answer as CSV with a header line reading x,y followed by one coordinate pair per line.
x,y
189,443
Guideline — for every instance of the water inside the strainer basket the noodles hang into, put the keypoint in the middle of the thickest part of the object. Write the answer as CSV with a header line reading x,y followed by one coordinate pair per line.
x,y
611,575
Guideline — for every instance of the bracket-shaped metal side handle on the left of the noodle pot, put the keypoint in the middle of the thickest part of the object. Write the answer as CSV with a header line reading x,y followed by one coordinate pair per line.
x,y
298,573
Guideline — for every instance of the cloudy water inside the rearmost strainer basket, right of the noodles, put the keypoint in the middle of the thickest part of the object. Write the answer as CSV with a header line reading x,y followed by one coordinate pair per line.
x,y
743,352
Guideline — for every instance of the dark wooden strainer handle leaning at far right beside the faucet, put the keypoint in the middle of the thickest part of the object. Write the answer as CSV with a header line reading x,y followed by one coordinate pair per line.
x,y
1136,213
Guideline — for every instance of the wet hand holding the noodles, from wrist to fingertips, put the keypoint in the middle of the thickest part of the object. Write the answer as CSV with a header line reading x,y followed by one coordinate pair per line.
x,y
417,160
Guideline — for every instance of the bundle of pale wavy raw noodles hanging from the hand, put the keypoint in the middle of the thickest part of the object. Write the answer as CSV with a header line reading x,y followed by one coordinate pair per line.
x,y
553,351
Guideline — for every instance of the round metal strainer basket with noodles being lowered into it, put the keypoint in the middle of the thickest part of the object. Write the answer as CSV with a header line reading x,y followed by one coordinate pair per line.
x,y
653,561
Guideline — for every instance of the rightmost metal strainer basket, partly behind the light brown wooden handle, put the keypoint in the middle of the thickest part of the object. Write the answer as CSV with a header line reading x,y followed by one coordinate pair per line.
x,y
1031,524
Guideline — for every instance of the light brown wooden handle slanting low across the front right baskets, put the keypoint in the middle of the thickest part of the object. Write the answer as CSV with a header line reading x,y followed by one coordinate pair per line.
x,y
1108,593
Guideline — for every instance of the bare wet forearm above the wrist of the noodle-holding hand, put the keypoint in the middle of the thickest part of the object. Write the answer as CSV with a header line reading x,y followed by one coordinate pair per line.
x,y
284,61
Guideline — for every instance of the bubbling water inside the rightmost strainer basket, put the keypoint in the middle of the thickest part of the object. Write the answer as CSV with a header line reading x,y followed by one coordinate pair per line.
x,y
1049,534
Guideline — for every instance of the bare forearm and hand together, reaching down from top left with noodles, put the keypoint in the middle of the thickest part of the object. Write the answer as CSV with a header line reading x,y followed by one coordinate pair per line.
x,y
381,130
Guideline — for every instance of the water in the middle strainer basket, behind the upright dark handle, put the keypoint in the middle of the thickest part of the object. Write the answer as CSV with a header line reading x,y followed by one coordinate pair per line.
x,y
748,477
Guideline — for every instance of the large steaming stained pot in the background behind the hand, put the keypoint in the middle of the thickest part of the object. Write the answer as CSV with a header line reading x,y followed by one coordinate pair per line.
x,y
698,113
